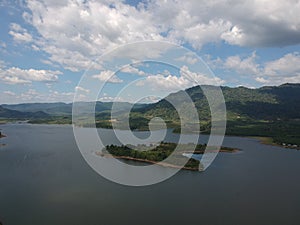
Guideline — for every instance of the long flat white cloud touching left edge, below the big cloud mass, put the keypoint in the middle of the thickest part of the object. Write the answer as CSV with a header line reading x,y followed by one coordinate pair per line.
x,y
15,75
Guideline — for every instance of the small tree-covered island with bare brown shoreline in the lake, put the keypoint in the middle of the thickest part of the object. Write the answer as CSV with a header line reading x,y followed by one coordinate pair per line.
x,y
158,153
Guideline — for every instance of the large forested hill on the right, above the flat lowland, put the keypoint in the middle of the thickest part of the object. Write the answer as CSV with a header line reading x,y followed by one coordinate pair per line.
x,y
266,103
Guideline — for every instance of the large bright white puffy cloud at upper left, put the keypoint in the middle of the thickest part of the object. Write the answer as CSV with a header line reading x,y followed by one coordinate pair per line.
x,y
73,33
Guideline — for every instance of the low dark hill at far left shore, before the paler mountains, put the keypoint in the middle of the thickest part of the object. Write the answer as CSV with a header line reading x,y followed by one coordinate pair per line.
x,y
14,114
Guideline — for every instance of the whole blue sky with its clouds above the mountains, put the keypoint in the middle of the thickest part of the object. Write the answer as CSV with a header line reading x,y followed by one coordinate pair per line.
x,y
48,46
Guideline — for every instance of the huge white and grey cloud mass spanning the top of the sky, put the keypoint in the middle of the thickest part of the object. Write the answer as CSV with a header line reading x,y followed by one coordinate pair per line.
x,y
73,32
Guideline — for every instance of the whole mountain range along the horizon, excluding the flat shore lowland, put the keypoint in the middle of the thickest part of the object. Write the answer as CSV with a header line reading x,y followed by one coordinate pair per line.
x,y
266,103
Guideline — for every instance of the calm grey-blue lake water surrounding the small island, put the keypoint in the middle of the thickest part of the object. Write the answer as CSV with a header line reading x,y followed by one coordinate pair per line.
x,y
45,181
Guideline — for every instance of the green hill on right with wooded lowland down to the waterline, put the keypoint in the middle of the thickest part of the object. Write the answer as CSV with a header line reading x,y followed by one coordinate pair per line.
x,y
267,111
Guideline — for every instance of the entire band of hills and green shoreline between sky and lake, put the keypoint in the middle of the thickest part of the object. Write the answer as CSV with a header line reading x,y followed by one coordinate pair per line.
x,y
272,112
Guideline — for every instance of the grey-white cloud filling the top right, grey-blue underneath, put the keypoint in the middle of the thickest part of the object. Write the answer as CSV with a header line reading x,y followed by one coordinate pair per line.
x,y
244,23
